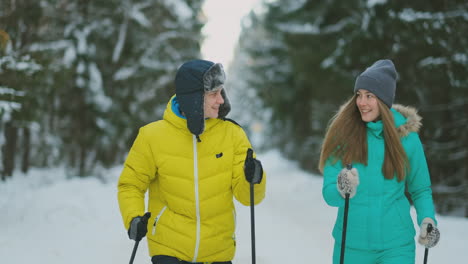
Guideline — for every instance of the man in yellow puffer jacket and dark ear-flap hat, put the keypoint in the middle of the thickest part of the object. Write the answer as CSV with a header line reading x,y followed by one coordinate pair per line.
x,y
192,163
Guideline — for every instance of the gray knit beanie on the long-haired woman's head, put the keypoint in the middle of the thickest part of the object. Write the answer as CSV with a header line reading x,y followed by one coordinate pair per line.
x,y
379,79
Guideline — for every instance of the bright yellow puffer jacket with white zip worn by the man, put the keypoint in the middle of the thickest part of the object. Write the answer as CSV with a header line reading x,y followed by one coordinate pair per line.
x,y
191,187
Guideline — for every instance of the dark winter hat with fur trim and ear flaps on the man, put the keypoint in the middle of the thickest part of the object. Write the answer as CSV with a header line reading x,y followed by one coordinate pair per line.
x,y
192,80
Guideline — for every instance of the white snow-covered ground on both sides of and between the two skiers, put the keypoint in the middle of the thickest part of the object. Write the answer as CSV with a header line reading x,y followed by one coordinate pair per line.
x,y
47,218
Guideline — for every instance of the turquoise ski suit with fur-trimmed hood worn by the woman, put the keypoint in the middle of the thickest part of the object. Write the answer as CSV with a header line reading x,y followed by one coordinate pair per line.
x,y
379,219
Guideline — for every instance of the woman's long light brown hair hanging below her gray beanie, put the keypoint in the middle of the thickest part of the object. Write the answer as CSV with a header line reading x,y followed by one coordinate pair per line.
x,y
346,140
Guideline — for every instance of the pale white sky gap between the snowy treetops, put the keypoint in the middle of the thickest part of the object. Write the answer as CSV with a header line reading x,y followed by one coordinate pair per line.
x,y
223,27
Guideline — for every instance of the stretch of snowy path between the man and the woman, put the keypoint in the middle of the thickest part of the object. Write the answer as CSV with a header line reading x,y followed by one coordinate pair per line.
x,y
288,221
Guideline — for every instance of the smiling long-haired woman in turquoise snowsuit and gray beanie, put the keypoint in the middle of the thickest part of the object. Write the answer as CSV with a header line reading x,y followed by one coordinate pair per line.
x,y
381,143
